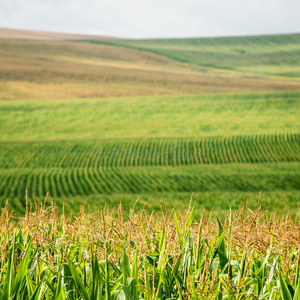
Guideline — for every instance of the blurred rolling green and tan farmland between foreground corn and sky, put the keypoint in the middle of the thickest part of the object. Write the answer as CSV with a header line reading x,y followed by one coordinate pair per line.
x,y
96,121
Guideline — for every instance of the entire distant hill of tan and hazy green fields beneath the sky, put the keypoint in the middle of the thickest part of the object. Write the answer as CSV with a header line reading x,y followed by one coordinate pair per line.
x,y
41,65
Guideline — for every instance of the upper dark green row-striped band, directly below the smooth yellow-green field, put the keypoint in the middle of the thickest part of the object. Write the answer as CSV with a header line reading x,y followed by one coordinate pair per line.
x,y
151,152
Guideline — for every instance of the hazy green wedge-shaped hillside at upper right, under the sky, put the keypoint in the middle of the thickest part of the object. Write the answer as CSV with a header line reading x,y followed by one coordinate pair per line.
x,y
274,54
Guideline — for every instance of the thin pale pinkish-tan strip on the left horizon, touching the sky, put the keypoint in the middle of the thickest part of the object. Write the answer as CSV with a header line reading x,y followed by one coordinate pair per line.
x,y
6,33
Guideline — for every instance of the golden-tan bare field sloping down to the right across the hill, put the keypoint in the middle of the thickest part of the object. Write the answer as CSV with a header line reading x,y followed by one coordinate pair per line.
x,y
77,69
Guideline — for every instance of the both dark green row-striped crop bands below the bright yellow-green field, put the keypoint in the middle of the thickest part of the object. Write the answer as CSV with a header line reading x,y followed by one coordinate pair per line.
x,y
70,168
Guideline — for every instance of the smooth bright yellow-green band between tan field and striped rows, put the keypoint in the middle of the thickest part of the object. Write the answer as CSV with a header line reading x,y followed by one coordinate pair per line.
x,y
140,117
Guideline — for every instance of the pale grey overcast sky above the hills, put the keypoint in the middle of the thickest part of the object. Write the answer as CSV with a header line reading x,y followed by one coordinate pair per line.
x,y
153,18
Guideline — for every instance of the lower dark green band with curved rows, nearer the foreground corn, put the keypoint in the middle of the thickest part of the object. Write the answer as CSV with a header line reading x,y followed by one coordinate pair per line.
x,y
83,182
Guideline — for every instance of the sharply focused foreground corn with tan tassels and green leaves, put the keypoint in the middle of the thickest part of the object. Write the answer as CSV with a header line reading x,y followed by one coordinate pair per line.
x,y
114,254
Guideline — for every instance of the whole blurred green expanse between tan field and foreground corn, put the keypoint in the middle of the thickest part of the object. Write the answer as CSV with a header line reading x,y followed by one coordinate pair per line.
x,y
100,151
